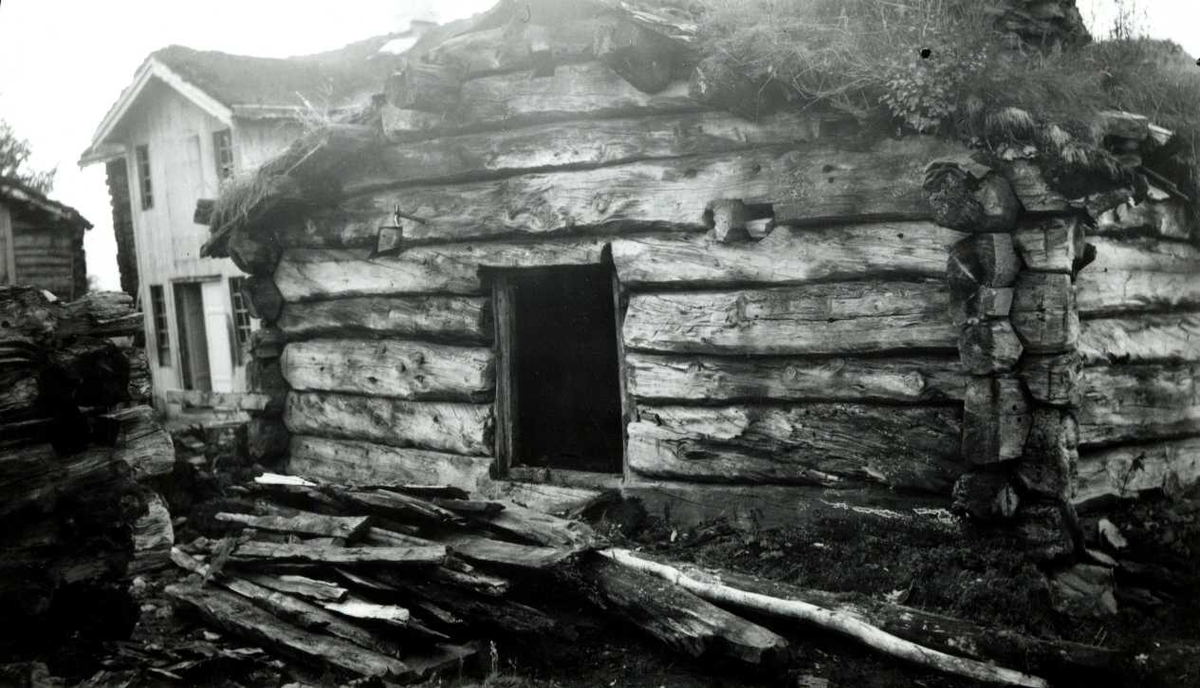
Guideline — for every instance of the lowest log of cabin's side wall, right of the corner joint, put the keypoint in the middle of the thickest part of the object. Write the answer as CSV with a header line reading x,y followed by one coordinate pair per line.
x,y
1129,471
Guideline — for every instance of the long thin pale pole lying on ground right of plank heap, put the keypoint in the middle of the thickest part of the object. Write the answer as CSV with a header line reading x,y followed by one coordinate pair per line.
x,y
1053,659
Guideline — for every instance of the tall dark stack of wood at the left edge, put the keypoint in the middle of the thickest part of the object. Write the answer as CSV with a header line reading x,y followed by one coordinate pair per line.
x,y
75,440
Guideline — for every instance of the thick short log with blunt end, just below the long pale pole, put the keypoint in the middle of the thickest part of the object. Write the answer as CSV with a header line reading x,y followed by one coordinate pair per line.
x,y
679,619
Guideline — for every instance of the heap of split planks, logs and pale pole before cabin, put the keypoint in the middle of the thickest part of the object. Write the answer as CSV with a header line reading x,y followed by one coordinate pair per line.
x,y
403,582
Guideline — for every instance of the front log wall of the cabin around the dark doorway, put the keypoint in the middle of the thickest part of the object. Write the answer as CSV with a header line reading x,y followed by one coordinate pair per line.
x,y
809,349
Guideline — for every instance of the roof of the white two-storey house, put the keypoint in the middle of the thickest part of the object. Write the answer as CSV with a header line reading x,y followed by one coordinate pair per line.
x,y
229,86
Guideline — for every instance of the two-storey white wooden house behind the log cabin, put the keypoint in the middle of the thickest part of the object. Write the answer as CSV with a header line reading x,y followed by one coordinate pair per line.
x,y
188,122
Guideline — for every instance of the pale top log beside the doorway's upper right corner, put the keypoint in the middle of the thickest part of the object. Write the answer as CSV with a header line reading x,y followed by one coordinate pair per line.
x,y
787,256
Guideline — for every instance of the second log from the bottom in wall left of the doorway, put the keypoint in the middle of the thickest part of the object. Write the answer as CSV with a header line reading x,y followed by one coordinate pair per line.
x,y
440,426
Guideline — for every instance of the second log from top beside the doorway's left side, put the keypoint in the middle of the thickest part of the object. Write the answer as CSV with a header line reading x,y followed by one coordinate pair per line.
x,y
431,318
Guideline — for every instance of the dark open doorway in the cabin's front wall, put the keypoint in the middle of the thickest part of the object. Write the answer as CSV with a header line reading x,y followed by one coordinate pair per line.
x,y
560,340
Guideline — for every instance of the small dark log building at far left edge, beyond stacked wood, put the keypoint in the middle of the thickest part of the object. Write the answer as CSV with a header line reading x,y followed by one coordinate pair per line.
x,y
41,242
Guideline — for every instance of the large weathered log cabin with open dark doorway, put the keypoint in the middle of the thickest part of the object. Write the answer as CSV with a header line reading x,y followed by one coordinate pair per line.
x,y
559,258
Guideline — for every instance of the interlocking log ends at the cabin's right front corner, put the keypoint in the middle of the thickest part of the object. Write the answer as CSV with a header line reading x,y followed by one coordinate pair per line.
x,y
1012,298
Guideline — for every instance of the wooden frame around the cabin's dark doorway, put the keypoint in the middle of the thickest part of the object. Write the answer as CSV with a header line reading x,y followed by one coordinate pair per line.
x,y
507,403
